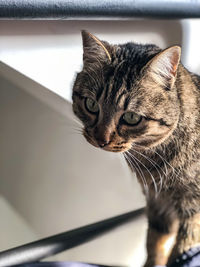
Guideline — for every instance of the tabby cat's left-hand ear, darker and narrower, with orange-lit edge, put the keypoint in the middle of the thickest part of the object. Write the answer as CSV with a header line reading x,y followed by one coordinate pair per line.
x,y
94,49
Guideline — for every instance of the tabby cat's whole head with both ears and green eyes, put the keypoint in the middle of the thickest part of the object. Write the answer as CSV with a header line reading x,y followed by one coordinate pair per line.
x,y
126,94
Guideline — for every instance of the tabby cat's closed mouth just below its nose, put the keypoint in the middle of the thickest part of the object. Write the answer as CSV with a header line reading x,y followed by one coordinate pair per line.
x,y
111,147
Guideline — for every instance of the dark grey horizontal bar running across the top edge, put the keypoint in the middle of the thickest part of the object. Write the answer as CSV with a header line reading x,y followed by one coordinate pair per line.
x,y
79,9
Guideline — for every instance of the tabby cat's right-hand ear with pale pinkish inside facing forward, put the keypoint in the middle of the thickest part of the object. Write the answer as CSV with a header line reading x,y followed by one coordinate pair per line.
x,y
163,67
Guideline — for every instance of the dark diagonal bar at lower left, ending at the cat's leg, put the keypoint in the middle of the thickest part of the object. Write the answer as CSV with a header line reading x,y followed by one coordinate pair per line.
x,y
52,245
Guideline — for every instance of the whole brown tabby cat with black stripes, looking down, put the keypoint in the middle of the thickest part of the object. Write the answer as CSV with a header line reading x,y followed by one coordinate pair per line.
x,y
141,101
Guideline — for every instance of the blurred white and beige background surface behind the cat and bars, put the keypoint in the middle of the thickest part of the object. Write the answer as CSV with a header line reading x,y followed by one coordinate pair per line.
x,y
51,179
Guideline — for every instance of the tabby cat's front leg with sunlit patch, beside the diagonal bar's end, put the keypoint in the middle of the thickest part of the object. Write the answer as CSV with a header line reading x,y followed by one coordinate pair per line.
x,y
162,231
